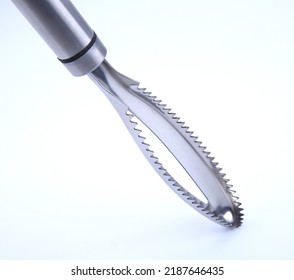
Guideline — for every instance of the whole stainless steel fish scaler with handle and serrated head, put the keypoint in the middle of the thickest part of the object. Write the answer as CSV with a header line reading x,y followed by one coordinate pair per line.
x,y
82,53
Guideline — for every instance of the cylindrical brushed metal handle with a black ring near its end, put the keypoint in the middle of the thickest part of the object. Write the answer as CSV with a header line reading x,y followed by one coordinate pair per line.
x,y
60,24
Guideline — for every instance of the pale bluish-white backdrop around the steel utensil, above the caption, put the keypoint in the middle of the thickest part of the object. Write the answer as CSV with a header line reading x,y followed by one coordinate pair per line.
x,y
74,185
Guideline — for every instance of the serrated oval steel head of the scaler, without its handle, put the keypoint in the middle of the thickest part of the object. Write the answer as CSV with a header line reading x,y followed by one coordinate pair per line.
x,y
130,101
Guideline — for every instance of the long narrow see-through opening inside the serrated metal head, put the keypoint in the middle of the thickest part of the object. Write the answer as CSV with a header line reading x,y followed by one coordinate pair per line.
x,y
169,162
